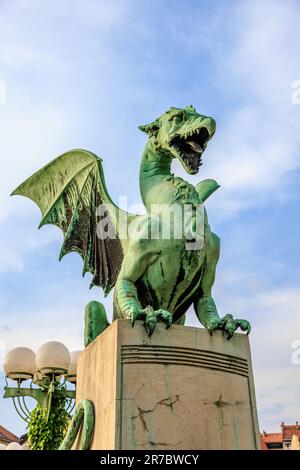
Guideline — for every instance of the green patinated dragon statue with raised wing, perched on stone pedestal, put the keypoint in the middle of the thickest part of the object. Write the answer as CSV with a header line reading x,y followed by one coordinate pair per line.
x,y
155,278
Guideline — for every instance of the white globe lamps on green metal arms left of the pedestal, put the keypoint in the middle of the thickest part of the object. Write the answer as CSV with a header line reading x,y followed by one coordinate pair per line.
x,y
49,370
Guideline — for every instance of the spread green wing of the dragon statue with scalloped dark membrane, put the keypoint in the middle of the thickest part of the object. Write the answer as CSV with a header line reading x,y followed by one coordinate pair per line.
x,y
68,192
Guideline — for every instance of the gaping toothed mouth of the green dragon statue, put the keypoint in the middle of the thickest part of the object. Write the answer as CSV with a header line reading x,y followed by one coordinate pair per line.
x,y
189,148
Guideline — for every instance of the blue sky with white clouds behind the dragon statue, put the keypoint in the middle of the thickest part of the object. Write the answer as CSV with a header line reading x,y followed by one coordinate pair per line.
x,y
86,74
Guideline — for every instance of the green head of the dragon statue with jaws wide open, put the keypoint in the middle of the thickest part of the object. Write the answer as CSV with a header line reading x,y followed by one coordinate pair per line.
x,y
184,134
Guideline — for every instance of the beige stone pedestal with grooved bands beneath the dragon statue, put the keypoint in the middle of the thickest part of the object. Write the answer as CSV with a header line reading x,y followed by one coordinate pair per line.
x,y
179,389
